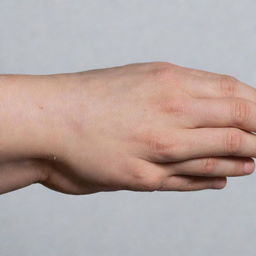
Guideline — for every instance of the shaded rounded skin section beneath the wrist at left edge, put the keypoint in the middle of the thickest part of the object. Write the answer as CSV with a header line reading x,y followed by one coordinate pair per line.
x,y
19,174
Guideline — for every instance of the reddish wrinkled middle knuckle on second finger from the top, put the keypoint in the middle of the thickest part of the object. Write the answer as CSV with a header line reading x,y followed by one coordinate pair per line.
x,y
240,112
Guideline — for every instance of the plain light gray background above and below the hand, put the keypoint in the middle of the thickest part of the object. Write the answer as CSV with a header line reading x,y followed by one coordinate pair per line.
x,y
43,36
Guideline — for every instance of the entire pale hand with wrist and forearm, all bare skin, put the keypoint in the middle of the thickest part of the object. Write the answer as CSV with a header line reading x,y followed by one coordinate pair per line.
x,y
140,127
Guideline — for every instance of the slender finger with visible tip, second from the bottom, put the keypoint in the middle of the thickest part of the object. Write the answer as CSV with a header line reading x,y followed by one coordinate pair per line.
x,y
213,167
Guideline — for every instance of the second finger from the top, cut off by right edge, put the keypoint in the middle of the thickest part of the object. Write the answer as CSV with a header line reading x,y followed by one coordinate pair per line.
x,y
224,112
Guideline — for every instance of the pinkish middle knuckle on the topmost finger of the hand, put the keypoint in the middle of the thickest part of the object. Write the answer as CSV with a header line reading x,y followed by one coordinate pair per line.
x,y
228,85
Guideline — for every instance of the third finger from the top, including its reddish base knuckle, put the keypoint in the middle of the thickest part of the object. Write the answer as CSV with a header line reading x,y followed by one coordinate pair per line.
x,y
200,143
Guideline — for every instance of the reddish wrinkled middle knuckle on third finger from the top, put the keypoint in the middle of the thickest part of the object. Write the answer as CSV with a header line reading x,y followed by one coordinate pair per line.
x,y
233,141
